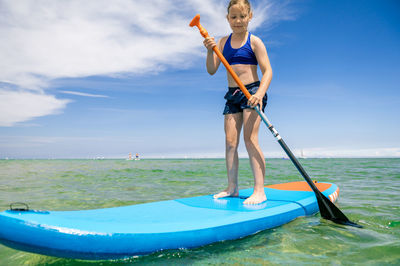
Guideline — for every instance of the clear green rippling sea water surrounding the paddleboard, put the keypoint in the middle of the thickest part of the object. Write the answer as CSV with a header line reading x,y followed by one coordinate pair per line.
x,y
369,195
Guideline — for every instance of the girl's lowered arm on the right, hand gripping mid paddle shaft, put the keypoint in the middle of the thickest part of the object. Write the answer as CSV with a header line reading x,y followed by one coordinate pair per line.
x,y
262,57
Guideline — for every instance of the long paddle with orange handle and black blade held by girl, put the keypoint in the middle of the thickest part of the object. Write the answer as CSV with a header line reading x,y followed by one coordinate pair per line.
x,y
327,209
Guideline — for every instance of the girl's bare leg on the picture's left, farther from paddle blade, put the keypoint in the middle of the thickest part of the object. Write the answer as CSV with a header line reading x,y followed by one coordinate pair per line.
x,y
233,125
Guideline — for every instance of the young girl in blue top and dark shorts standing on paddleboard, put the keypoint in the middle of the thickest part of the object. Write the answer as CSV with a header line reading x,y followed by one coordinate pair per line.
x,y
244,52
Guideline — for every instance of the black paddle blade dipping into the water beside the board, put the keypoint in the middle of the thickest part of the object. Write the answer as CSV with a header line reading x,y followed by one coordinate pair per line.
x,y
329,211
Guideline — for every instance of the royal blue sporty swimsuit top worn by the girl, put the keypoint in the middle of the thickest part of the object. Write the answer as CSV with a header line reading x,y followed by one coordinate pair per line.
x,y
243,55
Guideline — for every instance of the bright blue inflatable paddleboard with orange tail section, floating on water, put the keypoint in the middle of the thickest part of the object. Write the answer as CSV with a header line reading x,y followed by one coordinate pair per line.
x,y
146,228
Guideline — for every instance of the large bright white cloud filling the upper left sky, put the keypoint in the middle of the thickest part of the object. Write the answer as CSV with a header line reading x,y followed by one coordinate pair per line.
x,y
53,39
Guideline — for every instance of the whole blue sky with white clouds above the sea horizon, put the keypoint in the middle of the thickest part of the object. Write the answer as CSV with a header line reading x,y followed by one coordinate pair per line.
x,y
103,80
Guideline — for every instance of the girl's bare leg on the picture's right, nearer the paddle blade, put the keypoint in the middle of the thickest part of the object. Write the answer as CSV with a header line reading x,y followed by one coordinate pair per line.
x,y
251,125
